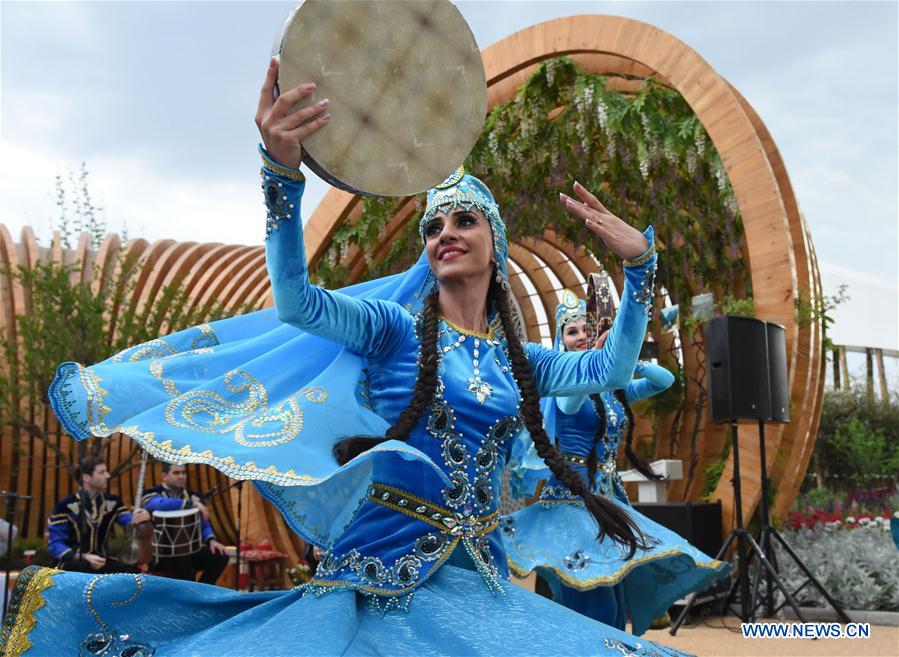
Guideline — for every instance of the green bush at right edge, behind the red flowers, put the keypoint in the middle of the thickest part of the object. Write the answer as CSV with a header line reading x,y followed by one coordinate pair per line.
x,y
857,444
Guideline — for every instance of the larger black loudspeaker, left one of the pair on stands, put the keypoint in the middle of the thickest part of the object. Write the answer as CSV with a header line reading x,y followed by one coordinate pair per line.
x,y
737,367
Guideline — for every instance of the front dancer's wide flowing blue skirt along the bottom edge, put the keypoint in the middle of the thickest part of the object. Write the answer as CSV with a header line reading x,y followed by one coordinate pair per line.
x,y
453,613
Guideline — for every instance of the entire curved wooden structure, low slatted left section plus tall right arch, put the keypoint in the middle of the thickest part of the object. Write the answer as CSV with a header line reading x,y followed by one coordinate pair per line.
x,y
777,246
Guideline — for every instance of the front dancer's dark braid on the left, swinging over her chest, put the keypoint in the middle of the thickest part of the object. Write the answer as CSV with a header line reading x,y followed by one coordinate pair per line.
x,y
425,385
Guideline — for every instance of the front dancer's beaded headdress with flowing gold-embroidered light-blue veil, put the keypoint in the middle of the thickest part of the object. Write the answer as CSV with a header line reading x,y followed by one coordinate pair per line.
x,y
220,394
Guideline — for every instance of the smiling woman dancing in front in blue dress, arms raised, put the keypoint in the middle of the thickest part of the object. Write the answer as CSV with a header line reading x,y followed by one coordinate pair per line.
x,y
291,399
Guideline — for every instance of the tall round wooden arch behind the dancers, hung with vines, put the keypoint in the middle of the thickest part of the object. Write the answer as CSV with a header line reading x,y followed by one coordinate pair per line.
x,y
777,243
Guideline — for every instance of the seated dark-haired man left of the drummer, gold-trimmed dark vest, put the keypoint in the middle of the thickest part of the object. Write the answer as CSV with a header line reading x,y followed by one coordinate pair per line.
x,y
81,523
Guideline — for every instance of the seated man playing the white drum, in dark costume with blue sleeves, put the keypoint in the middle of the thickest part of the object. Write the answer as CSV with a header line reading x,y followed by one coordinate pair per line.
x,y
171,495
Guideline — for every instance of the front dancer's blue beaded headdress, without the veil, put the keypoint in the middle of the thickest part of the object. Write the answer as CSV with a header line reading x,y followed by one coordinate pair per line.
x,y
464,191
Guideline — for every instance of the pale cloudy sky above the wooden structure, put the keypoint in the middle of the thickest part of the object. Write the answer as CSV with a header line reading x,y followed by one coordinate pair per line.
x,y
158,99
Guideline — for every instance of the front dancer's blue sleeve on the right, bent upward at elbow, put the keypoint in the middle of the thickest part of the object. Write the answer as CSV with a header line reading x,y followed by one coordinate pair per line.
x,y
564,373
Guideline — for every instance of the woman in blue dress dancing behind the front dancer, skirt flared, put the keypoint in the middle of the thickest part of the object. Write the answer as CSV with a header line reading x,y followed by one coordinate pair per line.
x,y
556,536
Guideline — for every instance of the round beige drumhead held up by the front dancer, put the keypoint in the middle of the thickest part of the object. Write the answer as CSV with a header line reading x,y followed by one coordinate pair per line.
x,y
406,84
